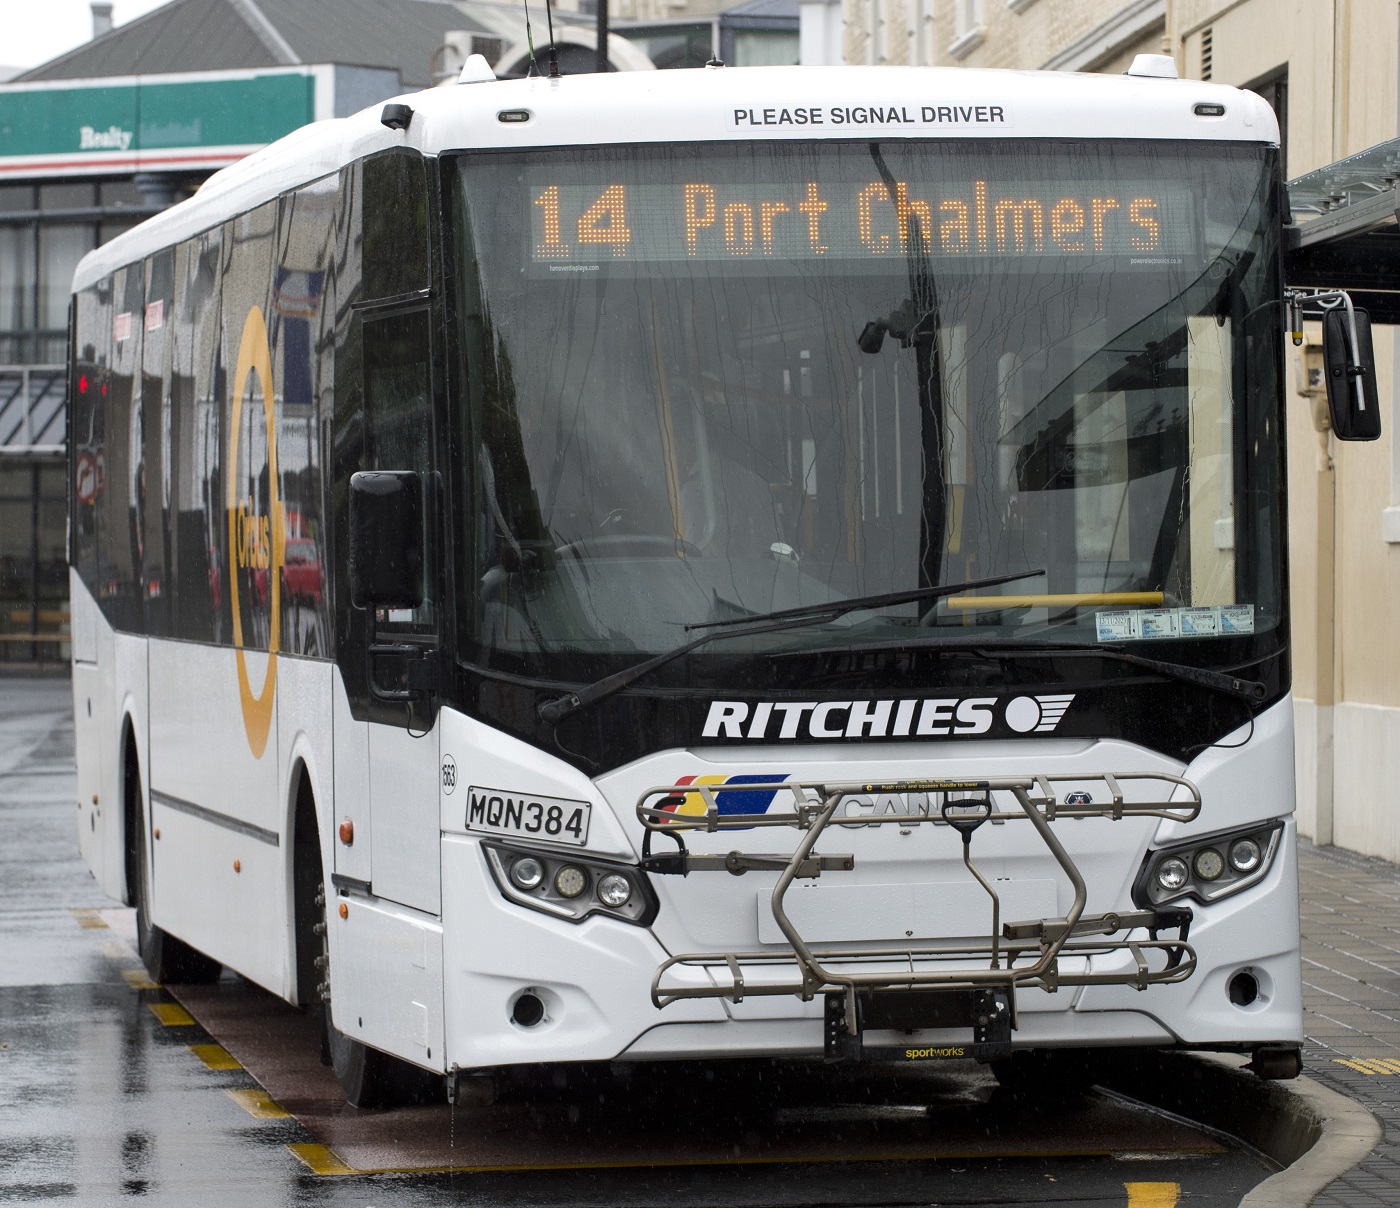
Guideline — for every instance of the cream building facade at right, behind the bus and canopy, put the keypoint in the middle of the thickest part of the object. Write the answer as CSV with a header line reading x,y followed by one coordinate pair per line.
x,y
1329,69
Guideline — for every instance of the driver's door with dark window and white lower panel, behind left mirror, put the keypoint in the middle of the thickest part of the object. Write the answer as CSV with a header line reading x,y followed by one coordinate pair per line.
x,y
397,831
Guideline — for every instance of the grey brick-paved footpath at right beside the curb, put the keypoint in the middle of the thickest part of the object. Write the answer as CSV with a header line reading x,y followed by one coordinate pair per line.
x,y
1352,1003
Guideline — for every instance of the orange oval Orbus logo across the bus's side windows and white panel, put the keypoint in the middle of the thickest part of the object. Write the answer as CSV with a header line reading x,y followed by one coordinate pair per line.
x,y
257,531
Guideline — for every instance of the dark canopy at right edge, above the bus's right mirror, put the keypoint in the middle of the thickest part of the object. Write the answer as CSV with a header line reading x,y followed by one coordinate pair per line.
x,y
1346,233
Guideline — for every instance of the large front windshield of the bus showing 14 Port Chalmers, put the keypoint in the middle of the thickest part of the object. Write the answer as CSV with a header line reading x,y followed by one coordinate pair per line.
x,y
713,381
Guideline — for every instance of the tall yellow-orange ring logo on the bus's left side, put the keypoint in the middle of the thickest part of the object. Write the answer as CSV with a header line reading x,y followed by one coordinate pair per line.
x,y
257,544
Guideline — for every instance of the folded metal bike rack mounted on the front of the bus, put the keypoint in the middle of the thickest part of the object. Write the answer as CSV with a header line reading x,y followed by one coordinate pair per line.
x,y
944,983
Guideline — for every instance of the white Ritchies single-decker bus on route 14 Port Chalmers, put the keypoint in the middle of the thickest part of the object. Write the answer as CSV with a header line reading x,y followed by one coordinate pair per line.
x,y
699,565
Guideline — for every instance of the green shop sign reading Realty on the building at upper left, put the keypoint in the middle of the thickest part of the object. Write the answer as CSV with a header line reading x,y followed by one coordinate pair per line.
x,y
155,124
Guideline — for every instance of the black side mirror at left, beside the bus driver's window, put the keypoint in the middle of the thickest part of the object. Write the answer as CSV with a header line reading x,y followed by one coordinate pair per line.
x,y
386,540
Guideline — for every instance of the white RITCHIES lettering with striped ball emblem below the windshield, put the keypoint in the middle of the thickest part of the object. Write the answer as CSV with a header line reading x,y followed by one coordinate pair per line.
x,y
923,717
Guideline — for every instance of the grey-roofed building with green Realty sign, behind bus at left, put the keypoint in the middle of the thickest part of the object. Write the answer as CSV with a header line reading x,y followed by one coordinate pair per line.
x,y
115,131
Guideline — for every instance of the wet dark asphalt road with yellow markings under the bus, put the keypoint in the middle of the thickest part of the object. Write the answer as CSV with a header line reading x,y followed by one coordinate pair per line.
x,y
111,1088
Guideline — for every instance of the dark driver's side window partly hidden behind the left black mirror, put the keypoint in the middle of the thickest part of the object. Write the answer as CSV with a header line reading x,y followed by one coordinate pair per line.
x,y
398,400
